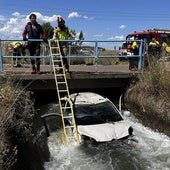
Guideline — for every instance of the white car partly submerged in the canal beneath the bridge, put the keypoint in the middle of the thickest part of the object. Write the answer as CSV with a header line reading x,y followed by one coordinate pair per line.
x,y
97,118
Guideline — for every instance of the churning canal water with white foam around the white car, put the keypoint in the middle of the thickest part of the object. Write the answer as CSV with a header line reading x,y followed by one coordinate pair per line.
x,y
146,150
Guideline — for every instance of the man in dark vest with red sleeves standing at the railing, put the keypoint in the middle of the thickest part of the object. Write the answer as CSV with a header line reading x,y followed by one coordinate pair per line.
x,y
34,31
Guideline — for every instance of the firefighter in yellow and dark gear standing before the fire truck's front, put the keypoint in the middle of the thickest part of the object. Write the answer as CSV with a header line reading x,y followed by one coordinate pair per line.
x,y
133,61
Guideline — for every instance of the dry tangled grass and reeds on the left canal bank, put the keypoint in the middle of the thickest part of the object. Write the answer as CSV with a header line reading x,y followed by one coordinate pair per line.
x,y
16,111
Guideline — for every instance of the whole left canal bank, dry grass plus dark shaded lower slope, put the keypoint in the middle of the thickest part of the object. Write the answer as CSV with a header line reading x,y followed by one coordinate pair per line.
x,y
21,145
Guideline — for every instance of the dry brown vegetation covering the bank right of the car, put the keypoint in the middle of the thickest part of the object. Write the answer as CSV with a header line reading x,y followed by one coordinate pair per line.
x,y
149,98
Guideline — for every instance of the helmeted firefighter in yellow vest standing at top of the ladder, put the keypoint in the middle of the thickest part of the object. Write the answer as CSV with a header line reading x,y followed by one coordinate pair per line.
x,y
62,33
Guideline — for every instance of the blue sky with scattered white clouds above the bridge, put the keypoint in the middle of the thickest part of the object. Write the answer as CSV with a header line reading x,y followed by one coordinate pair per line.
x,y
99,20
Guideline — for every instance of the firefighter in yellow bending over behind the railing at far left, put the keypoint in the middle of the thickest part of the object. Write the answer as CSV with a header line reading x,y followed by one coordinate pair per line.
x,y
16,48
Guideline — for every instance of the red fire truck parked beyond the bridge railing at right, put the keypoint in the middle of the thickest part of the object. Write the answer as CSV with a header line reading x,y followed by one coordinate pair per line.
x,y
161,35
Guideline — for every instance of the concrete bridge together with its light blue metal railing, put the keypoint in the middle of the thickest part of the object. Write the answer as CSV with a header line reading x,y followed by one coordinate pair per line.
x,y
80,76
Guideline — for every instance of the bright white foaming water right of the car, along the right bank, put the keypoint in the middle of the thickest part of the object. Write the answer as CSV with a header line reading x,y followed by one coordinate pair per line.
x,y
154,146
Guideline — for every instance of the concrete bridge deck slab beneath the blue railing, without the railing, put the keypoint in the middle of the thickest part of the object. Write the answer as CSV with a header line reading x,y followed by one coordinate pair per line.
x,y
79,76
